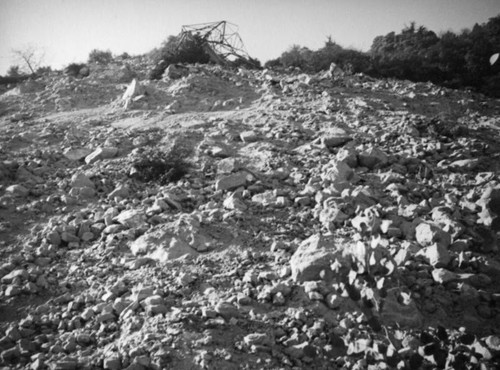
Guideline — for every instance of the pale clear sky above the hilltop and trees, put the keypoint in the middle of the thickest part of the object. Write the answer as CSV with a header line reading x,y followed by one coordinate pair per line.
x,y
67,30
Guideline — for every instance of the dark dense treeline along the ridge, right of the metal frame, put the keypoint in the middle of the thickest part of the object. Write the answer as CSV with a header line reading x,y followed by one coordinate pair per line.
x,y
417,54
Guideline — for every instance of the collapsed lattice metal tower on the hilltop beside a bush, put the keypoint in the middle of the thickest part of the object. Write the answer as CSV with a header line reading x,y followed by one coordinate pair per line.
x,y
221,41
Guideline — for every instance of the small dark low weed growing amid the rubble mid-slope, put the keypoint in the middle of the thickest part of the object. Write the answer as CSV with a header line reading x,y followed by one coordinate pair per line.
x,y
161,167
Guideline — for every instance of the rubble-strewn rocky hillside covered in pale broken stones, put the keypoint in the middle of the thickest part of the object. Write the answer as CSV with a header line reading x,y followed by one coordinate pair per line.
x,y
223,219
